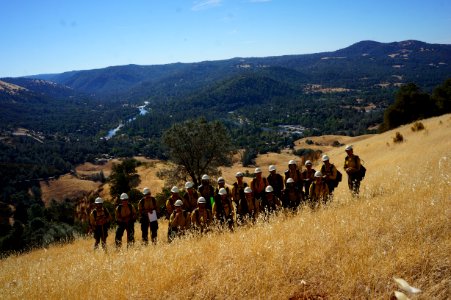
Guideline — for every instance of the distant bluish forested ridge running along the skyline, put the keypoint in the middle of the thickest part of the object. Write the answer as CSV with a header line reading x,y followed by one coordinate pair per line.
x,y
361,65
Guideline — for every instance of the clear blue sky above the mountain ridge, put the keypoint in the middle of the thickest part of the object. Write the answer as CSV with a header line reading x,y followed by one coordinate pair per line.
x,y
54,36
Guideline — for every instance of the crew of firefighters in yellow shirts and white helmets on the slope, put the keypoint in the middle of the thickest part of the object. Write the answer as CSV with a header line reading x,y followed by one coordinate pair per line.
x,y
202,209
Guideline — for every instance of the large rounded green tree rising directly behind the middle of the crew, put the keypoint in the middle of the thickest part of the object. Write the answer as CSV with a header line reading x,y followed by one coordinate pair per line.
x,y
200,147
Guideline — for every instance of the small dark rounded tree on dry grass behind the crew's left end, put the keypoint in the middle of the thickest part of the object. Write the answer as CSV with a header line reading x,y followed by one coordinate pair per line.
x,y
123,177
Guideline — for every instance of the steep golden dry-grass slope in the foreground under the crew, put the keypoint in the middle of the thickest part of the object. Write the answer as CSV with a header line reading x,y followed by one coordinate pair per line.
x,y
348,250
